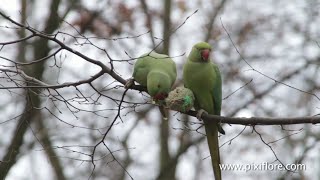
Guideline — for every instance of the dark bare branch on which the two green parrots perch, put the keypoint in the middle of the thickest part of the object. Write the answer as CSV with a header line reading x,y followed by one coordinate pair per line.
x,y
105,69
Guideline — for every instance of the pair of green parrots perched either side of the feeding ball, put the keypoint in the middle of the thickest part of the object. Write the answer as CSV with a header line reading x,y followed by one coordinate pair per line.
x,y
158,73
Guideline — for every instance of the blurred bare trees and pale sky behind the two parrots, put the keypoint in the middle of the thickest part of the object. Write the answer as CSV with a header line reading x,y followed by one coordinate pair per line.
x,y
57,131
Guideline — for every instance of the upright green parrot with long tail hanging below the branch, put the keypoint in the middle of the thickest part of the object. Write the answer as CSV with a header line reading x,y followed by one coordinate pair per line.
x,y
203,78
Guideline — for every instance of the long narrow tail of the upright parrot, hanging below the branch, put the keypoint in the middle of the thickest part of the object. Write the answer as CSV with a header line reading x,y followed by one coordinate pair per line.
x,y
213,143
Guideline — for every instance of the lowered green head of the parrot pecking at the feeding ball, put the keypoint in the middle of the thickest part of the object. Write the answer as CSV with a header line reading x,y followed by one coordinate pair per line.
x,y
158,85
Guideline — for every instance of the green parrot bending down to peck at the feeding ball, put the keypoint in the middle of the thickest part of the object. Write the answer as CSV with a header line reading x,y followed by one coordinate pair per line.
x,y
157,72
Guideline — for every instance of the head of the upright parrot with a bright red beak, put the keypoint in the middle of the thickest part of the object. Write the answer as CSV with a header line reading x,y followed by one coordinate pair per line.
x,y
200,52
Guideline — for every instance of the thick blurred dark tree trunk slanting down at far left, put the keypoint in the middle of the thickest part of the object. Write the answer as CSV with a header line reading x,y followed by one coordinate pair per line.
x,y
41,49
